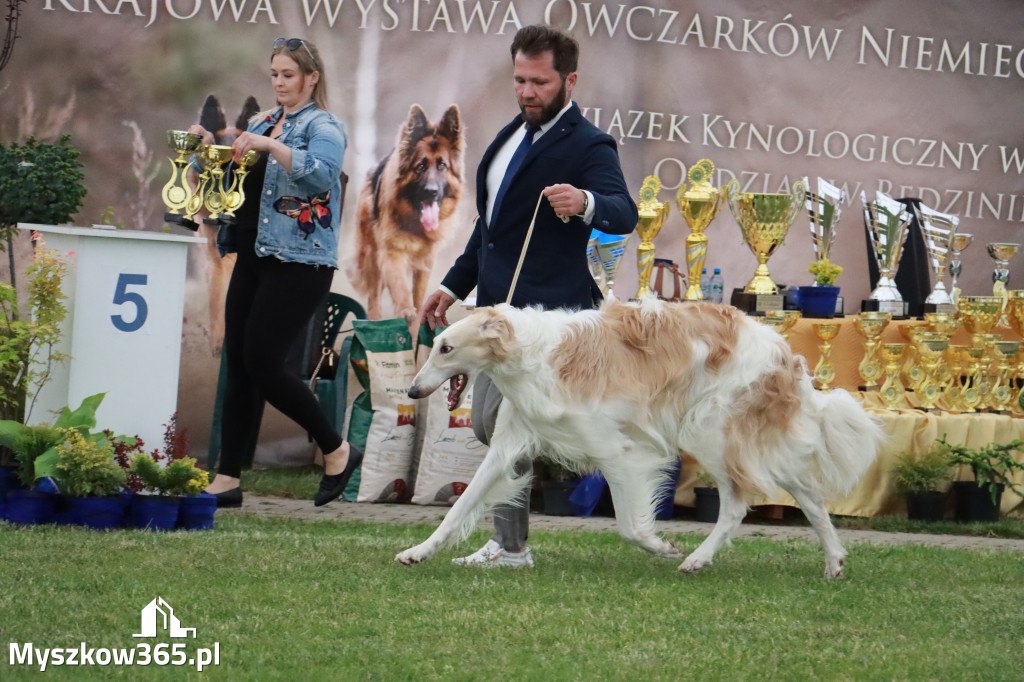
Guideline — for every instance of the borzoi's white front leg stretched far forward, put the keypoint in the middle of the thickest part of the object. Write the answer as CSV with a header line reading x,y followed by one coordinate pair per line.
x,y
491,484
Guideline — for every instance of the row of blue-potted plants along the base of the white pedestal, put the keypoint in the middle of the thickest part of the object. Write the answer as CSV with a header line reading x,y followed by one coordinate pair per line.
x,y
68,473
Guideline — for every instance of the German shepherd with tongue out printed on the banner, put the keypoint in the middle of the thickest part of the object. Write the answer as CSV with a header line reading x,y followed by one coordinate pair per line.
x,y
405,210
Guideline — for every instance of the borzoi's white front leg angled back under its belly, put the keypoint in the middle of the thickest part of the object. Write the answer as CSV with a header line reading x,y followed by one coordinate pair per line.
x,y
634,485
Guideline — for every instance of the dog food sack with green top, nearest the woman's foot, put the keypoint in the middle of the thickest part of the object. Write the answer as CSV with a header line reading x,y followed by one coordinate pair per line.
x,y
386,366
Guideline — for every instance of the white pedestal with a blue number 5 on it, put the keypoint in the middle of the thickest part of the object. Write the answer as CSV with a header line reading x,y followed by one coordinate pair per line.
x,y
123,331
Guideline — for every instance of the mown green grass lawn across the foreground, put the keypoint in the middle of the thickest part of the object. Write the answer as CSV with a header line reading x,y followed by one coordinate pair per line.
x,y
295,601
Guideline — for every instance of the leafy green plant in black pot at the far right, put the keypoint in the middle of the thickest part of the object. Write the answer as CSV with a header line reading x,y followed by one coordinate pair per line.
x,y
994,466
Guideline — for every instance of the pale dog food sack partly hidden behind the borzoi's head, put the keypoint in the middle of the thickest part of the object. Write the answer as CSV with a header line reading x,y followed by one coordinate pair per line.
x,y
450,454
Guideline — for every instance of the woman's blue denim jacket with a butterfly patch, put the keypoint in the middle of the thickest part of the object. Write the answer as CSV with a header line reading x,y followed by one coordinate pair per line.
x,y
318,142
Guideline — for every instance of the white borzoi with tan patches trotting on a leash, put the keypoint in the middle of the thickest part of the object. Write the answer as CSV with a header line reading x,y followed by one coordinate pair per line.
x,y
625,389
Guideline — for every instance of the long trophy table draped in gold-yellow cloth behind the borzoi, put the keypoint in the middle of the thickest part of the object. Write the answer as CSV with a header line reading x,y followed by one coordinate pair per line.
x,y
909,430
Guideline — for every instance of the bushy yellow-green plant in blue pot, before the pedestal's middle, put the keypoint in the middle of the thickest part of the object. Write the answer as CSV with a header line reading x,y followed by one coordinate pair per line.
x,y
93,480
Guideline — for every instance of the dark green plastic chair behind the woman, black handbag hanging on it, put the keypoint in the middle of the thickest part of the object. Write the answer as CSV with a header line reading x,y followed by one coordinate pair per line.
x,y
332,394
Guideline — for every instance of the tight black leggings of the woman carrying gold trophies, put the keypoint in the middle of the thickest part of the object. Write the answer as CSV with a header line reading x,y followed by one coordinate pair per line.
x,y
270,304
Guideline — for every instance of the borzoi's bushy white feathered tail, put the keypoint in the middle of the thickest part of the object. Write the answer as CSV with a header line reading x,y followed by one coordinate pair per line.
x,y
852,439
